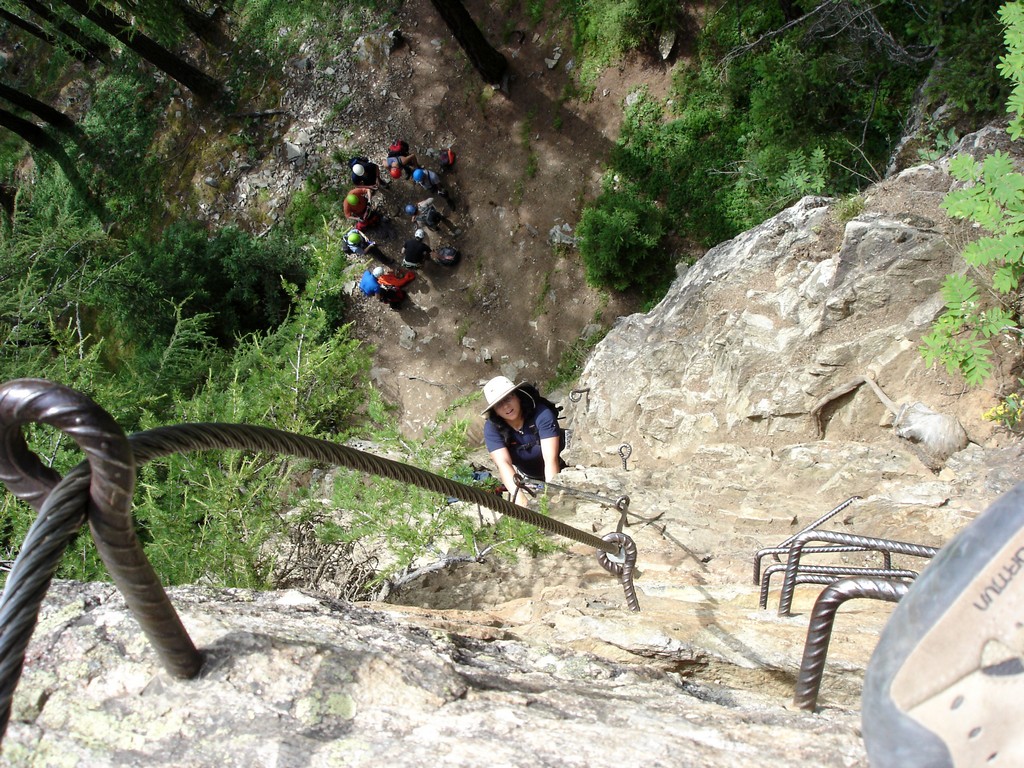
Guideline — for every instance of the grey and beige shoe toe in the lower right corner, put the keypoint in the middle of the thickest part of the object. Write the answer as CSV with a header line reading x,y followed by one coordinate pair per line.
x,y
945,686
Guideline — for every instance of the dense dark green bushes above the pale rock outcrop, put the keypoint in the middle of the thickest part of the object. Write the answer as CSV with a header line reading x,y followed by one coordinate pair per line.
x,y
765,114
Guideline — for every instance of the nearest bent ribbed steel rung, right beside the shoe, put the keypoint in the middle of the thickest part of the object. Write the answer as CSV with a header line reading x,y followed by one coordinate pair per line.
x,y
821,627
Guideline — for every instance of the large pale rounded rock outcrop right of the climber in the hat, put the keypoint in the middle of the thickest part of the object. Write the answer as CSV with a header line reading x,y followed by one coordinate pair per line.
x,y
752,336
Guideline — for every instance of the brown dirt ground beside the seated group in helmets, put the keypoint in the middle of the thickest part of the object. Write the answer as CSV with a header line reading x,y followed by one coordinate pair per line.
x,y
528,161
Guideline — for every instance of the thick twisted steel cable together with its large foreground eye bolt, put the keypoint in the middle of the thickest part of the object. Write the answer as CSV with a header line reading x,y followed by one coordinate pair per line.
x,y
101,489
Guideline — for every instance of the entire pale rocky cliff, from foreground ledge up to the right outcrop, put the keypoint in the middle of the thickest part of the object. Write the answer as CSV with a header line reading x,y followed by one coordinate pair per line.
x,y
744,398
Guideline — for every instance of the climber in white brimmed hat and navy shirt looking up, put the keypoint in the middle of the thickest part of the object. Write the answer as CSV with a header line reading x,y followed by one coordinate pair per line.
x,y
522,434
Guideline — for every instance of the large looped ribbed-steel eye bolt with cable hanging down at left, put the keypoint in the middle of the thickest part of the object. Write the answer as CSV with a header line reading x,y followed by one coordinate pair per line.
x,y
109,477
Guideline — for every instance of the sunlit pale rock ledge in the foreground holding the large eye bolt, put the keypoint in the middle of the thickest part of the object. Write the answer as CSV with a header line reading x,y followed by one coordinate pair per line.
x,y
295,681
